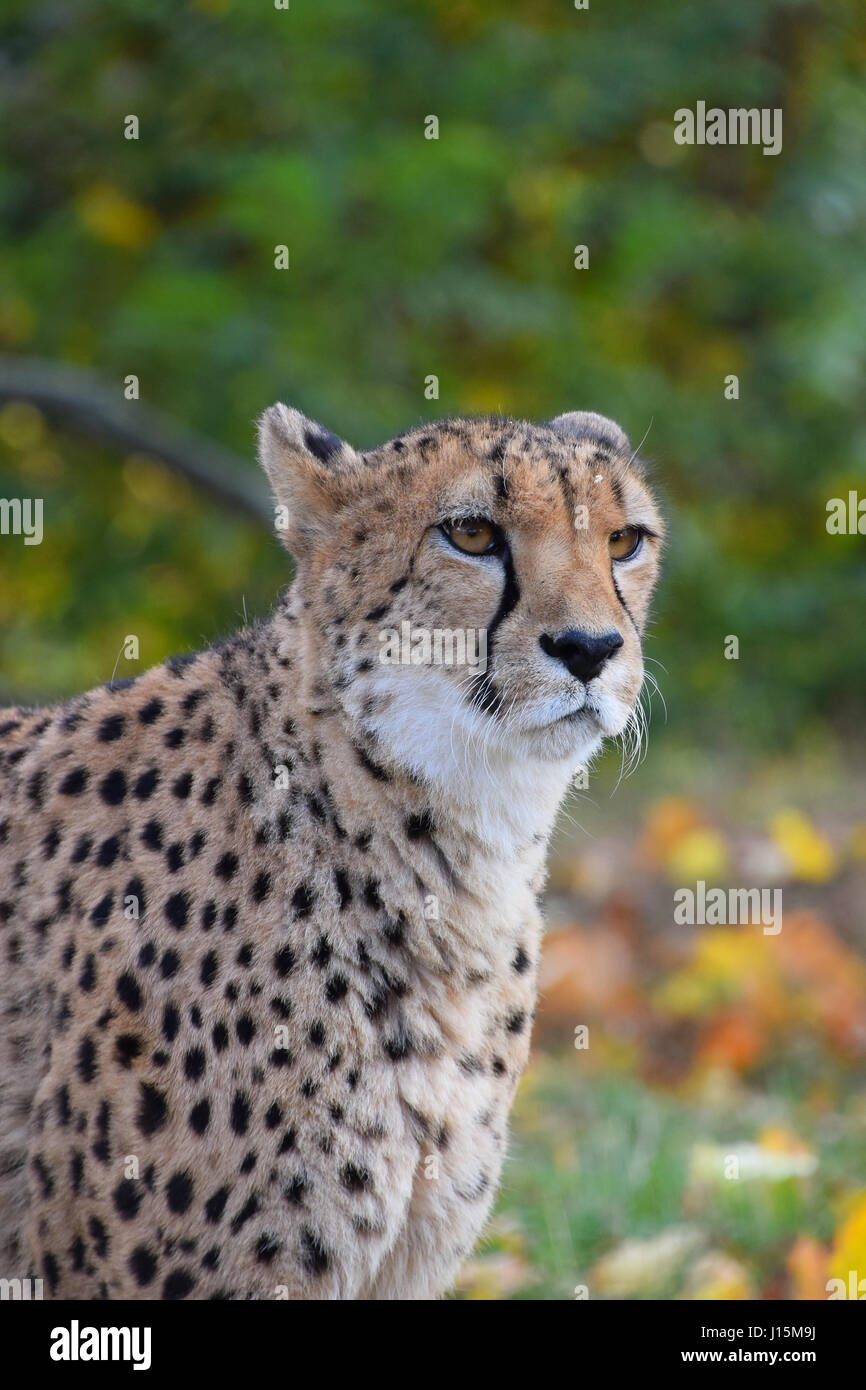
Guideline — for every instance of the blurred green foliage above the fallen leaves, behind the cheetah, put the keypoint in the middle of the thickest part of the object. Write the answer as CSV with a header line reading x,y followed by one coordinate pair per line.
x,y
454,256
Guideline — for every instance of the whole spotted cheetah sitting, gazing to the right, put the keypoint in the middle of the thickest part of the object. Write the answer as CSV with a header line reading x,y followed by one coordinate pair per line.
x,y
269,915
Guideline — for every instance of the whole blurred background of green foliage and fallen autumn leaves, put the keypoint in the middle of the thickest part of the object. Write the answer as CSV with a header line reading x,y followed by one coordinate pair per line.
x,y
305,127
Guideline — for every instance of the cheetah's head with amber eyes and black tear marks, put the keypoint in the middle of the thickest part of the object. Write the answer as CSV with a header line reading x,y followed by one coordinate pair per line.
x,y
534,547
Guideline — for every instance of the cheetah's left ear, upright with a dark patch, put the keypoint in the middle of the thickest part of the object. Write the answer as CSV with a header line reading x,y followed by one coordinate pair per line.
x,y
307,466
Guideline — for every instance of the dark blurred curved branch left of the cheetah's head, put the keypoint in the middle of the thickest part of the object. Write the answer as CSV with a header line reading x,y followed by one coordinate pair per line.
x,y
81,401
